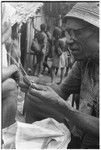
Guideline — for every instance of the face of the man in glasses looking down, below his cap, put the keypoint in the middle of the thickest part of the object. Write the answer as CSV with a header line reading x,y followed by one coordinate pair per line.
x,y
85,40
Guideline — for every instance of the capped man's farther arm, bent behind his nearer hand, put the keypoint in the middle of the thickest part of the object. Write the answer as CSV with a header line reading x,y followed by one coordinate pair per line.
x,y
71,84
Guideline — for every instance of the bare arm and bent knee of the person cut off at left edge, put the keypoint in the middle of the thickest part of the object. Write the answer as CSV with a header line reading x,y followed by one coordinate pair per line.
x,y
9,95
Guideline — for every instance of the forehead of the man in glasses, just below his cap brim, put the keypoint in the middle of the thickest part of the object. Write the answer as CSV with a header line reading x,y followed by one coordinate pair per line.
x,y
73,23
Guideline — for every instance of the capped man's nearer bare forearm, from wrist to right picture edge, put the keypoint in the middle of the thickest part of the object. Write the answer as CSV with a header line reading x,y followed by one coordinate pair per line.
x,y
86,123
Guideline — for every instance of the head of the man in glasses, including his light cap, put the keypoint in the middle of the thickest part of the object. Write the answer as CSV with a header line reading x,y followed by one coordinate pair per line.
x,y
84,33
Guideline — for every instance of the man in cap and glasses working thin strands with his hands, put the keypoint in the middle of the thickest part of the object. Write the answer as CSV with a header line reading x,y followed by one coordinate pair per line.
x,y
82,22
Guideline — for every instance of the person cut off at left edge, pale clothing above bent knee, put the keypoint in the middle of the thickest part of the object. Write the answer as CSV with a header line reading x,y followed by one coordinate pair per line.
x,y
9,85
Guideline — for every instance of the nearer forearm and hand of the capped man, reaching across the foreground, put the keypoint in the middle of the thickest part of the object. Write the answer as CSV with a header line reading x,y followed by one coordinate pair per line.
x,y
52,105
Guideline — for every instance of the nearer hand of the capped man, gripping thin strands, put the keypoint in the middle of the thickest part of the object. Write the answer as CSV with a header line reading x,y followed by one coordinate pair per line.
x,y
47,101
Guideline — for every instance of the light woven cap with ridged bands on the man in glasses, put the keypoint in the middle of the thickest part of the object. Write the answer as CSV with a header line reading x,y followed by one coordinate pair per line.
x,y
86,11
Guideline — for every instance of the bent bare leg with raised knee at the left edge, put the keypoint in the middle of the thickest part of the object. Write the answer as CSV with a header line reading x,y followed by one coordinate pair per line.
x,y
9,102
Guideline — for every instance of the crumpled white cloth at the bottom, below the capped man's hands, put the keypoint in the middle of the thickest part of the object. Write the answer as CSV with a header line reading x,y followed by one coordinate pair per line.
x,y
45,134
